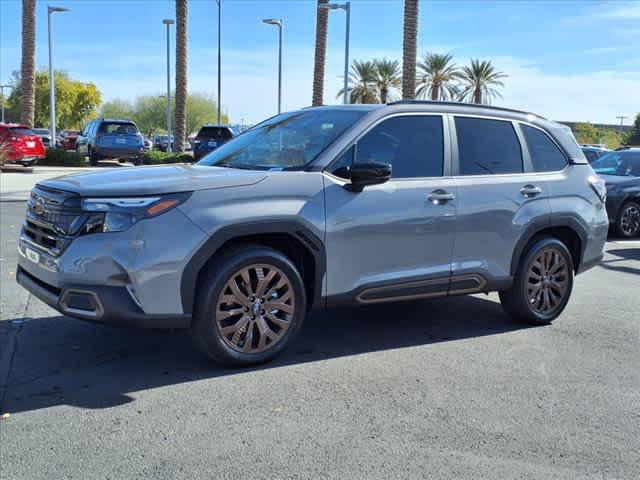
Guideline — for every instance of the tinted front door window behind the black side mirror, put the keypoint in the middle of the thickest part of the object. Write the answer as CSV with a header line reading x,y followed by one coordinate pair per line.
x,y
412,145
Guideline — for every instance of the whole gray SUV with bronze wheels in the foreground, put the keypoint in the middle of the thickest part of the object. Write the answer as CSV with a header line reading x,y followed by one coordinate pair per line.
x,y
317,208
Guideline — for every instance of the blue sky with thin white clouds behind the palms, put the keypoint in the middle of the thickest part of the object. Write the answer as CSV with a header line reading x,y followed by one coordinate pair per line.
x,y
567,60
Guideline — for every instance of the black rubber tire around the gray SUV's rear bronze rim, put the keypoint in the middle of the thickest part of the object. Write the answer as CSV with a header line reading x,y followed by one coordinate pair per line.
x,y
517,302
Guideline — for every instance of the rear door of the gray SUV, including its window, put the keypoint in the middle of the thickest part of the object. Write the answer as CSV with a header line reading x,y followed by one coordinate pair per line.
x,y
499,197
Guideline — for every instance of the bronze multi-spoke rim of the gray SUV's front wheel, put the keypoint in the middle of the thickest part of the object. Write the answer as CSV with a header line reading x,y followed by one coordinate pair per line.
x,y
255,308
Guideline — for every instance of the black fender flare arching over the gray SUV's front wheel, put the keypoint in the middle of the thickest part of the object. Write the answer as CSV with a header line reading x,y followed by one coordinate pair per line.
x,y
208,249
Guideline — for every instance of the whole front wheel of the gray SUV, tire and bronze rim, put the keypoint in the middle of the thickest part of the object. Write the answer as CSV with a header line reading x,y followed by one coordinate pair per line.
x,y
250,306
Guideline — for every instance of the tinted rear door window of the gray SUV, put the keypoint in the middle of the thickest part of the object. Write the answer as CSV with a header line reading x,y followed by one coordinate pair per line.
x,y
487,146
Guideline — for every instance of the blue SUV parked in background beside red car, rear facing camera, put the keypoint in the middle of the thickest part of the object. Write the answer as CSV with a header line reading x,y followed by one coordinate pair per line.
x,y
103,138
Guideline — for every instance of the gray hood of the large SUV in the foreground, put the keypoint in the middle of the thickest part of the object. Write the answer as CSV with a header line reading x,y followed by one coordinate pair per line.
x,y
130,181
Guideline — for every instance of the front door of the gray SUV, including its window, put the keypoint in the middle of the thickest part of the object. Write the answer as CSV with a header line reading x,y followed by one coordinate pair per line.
x,y
394,240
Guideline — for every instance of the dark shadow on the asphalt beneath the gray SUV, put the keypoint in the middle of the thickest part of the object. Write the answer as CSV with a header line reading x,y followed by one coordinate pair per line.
x,y
62,361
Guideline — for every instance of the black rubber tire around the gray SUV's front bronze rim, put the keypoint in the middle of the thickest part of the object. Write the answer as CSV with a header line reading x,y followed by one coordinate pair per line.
x,y
206,329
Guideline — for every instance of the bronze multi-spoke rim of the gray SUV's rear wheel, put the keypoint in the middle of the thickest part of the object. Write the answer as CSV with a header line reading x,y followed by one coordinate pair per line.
x,y
547,281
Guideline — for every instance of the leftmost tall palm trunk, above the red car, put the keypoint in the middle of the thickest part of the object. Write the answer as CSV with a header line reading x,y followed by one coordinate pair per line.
x,y
28,67
